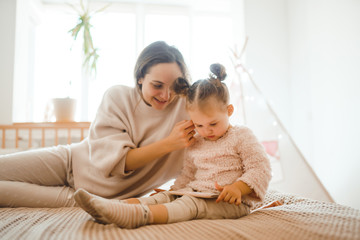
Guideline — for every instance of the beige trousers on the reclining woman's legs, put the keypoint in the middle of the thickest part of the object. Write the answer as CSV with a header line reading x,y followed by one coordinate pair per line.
x,y
37,178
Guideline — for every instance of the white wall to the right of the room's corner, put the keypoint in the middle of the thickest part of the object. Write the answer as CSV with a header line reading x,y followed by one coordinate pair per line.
x,y
332,32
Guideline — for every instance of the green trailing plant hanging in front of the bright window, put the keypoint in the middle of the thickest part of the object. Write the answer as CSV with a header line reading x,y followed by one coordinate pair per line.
x,y
90,52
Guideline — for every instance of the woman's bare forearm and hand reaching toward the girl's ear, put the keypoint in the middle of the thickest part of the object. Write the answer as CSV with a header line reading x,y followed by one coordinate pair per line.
x,y
180,137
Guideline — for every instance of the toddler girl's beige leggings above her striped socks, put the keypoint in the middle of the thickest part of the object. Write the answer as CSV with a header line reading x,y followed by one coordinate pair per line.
x,y
187,207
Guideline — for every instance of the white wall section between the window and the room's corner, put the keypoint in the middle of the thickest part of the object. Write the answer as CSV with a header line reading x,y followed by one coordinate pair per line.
x,y
267,52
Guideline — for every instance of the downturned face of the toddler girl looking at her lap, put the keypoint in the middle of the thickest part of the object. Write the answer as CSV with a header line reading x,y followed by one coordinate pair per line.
x,y
212,122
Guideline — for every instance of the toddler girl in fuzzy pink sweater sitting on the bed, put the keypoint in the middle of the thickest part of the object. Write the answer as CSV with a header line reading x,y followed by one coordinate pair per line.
x,y
225,160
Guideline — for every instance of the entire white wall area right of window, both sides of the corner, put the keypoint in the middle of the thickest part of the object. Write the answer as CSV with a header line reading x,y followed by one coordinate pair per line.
x,y
322,39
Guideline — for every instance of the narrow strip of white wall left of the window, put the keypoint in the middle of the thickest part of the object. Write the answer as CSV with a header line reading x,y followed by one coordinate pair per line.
x,y
7,56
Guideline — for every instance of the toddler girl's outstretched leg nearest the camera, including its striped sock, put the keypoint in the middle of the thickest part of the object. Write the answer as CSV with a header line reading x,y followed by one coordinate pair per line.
x,y
182,209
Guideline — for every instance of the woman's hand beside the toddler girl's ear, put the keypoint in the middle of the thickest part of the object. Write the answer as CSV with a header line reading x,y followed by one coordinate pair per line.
x,y
182,135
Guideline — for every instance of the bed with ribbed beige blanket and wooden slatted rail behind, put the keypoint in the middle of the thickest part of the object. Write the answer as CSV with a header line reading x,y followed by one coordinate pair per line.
x,y
297,218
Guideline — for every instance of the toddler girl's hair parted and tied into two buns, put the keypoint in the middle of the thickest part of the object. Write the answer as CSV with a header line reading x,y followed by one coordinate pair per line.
x,y
199,92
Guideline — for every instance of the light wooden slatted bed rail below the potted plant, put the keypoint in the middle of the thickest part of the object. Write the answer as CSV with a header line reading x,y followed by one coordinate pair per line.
x,y
43,127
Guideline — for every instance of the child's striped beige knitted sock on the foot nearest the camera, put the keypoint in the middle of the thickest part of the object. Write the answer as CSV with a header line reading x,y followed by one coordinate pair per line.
x,y
123,215
